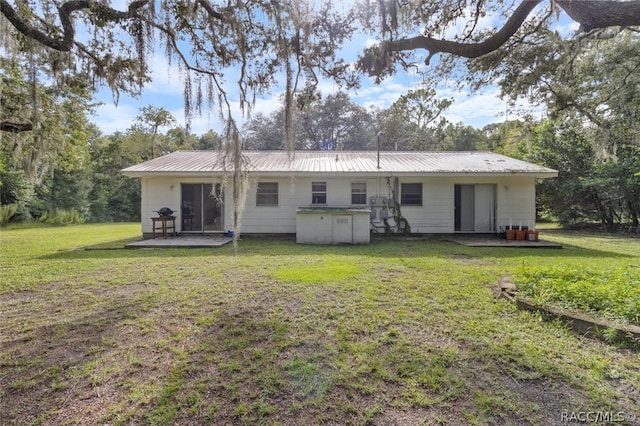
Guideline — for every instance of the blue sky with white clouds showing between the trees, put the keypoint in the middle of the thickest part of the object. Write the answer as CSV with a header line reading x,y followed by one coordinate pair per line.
x,y
166,91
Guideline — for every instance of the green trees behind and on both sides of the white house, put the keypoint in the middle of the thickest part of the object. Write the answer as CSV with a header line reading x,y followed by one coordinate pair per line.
x,y
65,170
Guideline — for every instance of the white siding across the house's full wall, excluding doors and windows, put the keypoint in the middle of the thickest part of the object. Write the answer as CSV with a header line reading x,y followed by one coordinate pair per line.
x,y
515,201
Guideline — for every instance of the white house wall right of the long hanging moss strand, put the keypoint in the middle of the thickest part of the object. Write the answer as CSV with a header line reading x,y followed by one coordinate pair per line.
x,y
514,199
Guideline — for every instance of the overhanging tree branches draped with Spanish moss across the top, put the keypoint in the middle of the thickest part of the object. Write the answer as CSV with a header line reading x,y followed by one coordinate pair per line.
x,y
257,44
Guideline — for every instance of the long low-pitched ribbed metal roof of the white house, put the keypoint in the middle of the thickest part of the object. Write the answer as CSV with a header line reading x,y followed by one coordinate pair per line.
x,y
199,163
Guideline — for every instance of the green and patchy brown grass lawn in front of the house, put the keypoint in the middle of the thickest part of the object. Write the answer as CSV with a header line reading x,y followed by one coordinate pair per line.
x,y
403,332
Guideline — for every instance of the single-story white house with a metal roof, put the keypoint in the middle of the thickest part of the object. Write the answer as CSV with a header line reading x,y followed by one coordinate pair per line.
x,y
340,196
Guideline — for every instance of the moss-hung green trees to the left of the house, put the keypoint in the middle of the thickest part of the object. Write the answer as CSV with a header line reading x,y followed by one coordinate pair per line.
x,y
65,170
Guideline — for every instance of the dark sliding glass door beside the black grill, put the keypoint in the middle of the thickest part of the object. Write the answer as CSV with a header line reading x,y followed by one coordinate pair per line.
x,y
202,209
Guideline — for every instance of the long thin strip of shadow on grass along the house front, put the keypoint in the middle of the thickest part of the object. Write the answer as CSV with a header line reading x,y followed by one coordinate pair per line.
x,y
399,248
